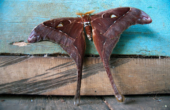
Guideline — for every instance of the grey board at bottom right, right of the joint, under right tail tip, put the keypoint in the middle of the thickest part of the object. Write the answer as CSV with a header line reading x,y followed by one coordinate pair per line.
x,y
140,103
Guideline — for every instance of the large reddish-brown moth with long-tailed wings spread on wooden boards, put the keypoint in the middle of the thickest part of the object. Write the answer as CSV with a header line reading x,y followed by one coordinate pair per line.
x,y
103,28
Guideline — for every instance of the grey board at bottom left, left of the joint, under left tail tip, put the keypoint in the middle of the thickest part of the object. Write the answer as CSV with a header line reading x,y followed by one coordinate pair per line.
x,y
50,103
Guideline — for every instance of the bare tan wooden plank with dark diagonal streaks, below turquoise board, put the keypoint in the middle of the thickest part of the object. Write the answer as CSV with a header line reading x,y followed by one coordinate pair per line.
x,y
57,76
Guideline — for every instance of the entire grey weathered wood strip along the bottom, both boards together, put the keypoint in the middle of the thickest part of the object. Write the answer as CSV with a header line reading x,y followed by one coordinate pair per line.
x,y
86,103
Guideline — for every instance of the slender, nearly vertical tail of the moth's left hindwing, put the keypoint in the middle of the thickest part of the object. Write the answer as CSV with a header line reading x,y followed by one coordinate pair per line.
x,y
79,77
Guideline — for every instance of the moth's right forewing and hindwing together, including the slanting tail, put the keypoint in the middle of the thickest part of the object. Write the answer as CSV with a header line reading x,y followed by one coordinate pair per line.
x,y
107,27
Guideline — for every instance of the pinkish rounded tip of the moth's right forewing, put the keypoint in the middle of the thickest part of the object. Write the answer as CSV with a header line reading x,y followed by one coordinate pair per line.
x,y
144,18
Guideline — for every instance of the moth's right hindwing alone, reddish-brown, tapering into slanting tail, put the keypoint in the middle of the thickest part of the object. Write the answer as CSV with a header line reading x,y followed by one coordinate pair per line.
x,y
104,47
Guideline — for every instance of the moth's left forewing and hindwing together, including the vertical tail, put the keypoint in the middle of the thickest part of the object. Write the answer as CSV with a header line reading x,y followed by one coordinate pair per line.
x,y
68,32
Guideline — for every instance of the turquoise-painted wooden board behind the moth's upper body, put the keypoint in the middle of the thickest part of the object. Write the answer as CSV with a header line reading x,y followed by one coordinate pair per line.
x,y
19,17
